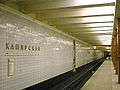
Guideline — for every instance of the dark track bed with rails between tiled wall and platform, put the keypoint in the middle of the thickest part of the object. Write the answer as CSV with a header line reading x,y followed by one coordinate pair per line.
x,y
70,80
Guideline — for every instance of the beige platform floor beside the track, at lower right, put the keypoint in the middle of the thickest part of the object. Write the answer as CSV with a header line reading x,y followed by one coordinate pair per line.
x,y
103,79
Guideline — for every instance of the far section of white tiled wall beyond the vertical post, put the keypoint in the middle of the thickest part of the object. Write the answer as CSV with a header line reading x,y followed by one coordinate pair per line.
x,y
85,54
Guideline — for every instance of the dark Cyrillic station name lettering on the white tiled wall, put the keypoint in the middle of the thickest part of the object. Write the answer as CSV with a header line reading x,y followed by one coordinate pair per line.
x,y
10,46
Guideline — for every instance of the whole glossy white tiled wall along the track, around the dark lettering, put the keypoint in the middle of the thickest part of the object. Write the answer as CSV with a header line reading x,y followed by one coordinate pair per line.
x,y
55,56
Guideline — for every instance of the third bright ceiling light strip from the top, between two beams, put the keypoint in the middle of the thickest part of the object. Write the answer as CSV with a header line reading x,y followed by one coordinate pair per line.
x,y
85,20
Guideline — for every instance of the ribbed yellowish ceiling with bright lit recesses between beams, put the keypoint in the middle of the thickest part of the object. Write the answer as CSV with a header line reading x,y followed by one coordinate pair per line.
x,y
88,20
